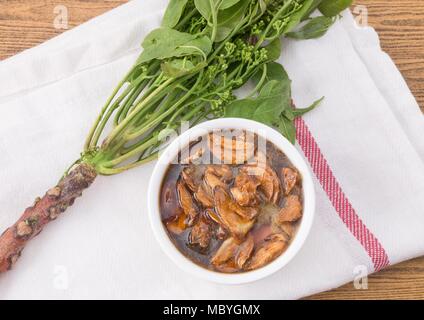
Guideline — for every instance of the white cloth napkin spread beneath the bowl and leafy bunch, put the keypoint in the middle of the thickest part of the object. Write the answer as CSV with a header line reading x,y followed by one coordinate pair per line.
x,y
369,129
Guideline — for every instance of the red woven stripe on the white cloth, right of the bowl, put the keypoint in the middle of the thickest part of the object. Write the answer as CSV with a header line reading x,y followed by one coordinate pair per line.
x,y
338,198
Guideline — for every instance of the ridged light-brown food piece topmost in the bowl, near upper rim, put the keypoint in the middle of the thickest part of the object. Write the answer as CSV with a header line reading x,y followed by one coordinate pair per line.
x,y
233,149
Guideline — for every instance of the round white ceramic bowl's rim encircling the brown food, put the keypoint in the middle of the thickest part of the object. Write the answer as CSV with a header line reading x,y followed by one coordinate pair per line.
x,y
160,170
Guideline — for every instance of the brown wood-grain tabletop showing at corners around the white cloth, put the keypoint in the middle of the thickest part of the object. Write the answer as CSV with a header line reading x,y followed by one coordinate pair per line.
x,y
400,23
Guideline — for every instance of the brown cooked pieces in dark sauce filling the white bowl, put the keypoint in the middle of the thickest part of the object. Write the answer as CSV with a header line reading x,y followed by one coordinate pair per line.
x,y
235,216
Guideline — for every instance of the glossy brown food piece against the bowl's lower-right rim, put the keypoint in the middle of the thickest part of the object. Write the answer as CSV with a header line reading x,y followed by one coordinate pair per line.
x,y
271,248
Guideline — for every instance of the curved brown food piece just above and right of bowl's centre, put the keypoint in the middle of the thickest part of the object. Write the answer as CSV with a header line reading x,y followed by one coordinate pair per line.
x,y
269,182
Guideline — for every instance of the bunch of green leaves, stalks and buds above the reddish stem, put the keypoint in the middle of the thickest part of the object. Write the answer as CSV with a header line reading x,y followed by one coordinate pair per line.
x,y
190,67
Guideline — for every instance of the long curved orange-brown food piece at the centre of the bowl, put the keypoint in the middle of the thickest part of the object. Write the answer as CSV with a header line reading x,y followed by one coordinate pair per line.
x,y
237,225
